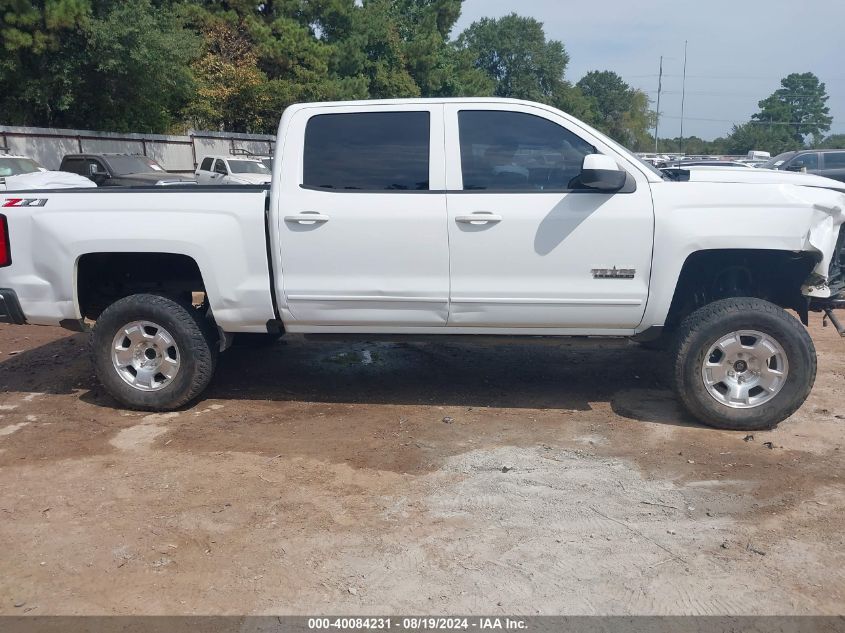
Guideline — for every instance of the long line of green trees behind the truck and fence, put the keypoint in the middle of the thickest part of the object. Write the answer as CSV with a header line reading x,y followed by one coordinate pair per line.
x,y
164,66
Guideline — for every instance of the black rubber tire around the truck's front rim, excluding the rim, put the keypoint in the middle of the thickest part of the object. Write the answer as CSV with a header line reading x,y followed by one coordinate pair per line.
x,y
704,327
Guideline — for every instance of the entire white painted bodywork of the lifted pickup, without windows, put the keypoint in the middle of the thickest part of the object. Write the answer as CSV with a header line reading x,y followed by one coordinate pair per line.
x,y
398,263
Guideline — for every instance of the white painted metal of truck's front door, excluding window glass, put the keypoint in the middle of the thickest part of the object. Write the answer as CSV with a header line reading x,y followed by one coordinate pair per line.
x,y
533,267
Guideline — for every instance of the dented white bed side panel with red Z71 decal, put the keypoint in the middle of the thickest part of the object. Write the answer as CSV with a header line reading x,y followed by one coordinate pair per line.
x,y
222,233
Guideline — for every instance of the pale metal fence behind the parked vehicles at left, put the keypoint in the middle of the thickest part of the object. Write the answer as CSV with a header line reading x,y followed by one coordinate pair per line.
x,y
174,153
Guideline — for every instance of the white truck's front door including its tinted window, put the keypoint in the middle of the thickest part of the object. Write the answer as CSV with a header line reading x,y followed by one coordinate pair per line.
x,y
526,249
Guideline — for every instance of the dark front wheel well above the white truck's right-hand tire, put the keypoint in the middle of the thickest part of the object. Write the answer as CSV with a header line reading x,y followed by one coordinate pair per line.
x,y
708,276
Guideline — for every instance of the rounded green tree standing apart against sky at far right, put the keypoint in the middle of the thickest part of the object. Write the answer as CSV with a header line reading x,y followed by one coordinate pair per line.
x,y
800,102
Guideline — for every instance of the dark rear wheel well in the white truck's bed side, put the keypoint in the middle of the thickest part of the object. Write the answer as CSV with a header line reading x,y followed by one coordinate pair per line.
x,y
103,278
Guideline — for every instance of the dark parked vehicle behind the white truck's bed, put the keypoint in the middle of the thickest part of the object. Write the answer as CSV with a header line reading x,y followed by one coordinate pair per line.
x,y
122,170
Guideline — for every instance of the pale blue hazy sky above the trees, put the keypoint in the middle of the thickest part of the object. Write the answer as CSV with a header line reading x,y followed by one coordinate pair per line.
x,y
737,50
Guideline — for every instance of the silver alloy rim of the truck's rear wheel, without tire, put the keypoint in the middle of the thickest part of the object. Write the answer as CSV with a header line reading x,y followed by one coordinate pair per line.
x,y
145,355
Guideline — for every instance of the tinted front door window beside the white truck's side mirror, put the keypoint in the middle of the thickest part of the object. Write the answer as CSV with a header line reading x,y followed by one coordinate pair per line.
x,y
514,151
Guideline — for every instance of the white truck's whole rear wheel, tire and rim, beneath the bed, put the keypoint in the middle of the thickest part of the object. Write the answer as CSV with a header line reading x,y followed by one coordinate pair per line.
x,y
153,353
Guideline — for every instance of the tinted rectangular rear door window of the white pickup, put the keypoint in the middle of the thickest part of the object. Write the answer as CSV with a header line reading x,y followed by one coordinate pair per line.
x,y
368,151
